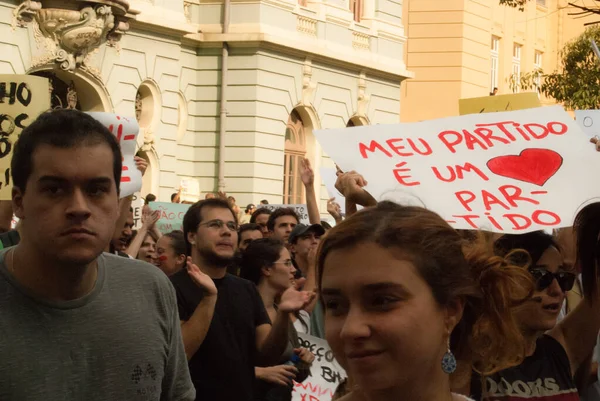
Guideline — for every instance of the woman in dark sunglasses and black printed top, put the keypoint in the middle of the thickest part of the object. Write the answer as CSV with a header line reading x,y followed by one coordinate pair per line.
x,y
554,351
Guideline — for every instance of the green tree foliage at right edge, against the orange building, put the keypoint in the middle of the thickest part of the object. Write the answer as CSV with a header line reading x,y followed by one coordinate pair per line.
x,y
577,83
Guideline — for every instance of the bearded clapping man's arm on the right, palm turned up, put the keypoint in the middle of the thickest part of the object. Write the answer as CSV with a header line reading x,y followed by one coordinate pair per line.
x,y
271,341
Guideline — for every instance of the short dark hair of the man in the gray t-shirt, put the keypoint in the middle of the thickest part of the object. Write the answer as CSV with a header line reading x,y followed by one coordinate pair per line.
x,y
64,129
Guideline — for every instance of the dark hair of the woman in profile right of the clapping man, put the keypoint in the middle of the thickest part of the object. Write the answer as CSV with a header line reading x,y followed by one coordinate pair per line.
x,y
261,253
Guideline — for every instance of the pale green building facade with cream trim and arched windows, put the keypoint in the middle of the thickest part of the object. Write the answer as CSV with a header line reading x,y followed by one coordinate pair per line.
x,y
227,92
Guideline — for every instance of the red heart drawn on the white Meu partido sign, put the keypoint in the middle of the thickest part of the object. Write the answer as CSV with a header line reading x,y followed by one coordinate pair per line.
x,y
535,166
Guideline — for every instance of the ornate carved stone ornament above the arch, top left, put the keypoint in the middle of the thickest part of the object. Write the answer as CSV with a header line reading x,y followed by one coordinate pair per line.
x,y
71,36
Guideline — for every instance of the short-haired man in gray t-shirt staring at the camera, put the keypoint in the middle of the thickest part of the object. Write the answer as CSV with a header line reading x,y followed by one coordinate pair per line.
x,y
109,330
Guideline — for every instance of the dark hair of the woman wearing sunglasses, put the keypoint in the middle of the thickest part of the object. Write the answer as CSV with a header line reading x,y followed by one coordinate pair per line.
x,y
534,243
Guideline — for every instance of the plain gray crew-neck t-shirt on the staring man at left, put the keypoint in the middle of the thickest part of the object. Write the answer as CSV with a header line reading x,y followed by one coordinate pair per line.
x,y
122,341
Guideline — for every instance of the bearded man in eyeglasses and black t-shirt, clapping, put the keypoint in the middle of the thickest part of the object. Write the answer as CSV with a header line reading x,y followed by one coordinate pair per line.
x,y
226,330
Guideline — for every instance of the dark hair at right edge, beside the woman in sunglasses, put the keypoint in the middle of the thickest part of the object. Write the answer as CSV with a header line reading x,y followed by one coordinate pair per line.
x,y
587,232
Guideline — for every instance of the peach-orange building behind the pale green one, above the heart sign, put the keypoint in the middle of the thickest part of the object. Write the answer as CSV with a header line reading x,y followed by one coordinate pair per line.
x,y
450,49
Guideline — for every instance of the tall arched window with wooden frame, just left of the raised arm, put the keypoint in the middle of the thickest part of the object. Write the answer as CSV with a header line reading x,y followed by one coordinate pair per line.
x,y
295,150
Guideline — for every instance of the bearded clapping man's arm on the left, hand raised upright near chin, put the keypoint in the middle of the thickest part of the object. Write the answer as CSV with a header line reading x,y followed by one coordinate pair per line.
x,y
195,328
